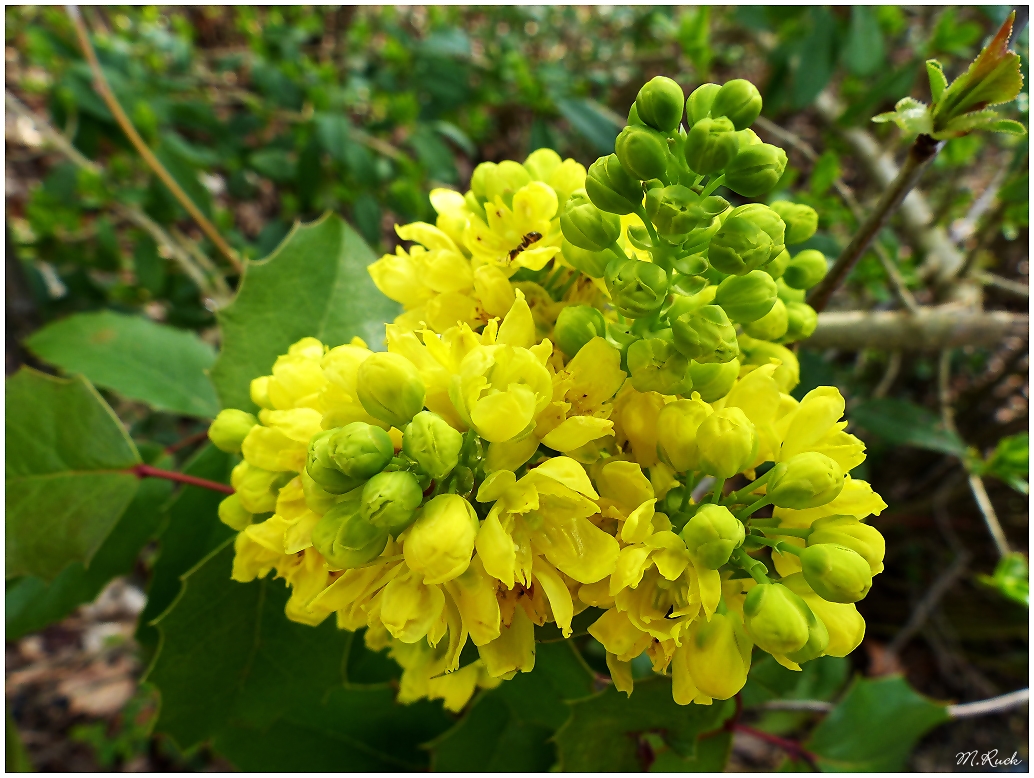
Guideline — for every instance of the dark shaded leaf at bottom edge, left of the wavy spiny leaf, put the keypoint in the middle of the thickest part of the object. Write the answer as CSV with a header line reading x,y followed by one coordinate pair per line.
x,y
509,729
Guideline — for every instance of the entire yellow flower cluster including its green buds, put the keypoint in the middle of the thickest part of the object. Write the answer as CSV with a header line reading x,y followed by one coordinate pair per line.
x,y
585,405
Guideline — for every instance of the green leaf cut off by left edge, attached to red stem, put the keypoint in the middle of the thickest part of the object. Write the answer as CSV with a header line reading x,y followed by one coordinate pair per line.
x,y
67,461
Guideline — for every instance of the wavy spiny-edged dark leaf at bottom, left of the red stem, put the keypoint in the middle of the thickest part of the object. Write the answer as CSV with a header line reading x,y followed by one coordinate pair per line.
x,y
603,732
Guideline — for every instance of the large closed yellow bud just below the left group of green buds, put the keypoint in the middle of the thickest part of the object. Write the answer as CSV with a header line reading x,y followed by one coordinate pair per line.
x,y
441,542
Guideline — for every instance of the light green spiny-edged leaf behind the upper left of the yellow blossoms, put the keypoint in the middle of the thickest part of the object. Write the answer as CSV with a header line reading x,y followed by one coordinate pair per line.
x,y
316,285
